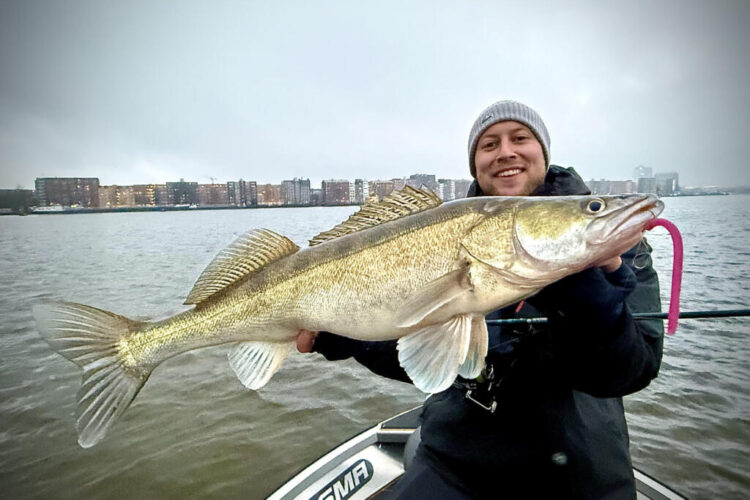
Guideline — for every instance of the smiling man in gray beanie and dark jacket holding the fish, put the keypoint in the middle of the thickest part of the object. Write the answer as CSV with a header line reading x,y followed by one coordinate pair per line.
x,y
546,417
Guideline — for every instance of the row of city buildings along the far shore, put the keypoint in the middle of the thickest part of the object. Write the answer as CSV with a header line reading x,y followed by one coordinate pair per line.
x,y
54,194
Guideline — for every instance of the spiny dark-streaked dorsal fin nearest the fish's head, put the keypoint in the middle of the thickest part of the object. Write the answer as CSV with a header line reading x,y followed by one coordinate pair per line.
x,y
398,204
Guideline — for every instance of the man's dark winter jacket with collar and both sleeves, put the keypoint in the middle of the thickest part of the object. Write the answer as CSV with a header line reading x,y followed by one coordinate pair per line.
x,y
559,428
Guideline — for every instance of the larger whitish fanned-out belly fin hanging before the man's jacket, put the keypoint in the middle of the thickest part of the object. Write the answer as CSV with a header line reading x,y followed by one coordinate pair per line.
x,y
431,356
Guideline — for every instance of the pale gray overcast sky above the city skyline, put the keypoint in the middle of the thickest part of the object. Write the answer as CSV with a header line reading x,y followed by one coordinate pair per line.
x,y
152,91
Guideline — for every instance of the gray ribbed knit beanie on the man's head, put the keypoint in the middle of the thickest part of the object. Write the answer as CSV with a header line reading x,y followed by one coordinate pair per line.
x,y
503,111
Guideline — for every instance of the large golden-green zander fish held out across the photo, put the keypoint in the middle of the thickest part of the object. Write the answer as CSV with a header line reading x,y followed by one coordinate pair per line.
x,y
407,267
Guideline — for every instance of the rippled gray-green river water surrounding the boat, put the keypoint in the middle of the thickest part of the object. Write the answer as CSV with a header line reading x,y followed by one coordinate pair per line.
x,y
195,432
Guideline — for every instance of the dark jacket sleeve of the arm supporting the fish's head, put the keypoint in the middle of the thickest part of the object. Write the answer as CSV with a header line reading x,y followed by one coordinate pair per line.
x,y
593,337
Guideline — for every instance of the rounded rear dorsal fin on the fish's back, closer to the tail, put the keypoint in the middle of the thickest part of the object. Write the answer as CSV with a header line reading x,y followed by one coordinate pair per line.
x,y
247,254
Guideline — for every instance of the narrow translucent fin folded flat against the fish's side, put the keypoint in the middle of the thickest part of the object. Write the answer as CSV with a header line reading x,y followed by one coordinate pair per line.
x,y
432,297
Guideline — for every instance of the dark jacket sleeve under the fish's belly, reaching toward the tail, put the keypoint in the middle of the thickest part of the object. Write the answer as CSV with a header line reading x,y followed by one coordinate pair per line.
x,y
380,357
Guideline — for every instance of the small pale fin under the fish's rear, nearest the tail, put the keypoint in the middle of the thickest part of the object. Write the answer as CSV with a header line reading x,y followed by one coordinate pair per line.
x,y
254,363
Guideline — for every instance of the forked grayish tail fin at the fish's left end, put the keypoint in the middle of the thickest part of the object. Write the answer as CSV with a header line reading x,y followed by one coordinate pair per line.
x,y
88,337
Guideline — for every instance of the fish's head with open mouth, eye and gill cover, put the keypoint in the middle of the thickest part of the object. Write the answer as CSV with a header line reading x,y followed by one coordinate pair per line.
x,y
546,238
